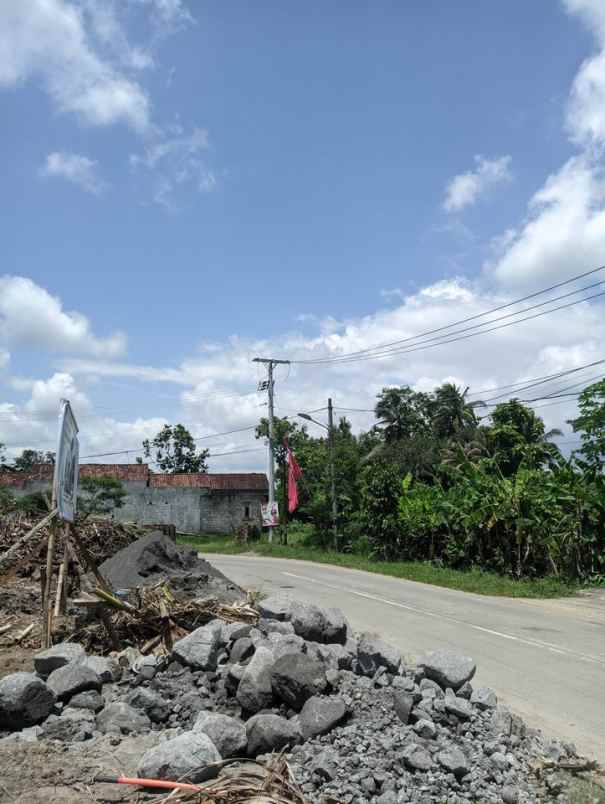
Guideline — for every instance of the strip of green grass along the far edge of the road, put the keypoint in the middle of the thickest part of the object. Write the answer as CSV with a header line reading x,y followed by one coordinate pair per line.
x,y
474,580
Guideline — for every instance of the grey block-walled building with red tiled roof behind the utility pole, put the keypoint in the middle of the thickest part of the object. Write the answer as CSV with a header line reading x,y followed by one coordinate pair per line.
x,y
194,503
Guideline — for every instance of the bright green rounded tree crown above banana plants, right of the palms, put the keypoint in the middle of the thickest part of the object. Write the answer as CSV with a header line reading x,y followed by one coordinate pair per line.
x,y
517,436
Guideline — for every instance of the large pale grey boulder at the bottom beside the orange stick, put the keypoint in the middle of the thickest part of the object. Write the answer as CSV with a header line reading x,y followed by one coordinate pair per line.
x,y
185,758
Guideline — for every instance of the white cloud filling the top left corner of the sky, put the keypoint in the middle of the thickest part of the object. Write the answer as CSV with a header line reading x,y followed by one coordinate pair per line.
x,y
46,40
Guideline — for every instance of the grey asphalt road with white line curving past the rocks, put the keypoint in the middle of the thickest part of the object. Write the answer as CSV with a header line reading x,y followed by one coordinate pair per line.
x,y
545,659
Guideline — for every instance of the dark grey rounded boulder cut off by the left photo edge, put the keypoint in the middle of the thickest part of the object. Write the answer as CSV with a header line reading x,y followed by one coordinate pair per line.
x,y
24,700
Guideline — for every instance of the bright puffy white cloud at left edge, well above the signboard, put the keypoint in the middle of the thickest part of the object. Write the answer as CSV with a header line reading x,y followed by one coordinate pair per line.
x,y
30,316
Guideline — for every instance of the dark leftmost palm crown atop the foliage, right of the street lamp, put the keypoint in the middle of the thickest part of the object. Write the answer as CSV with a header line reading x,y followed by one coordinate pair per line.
x,y
402,413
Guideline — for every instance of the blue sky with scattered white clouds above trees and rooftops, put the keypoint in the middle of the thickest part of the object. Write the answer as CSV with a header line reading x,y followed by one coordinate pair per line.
x,y
202,181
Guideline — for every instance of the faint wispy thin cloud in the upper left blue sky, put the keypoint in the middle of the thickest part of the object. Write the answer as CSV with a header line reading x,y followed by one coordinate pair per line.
x,y
176,161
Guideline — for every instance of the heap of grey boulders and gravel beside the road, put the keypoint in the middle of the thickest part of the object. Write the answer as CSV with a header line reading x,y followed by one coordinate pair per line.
x,y
359,725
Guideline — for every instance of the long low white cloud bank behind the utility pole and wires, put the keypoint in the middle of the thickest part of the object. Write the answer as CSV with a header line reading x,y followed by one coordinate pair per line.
x,y
216,389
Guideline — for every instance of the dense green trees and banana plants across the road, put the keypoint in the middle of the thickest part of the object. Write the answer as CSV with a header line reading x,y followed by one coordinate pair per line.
x,y
434,482
